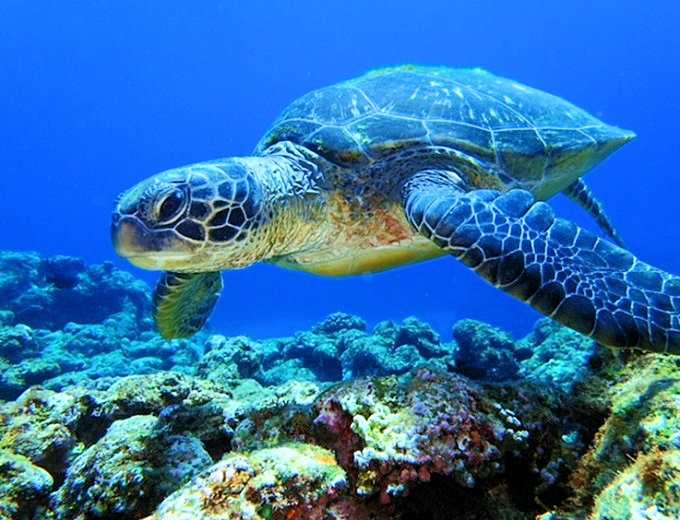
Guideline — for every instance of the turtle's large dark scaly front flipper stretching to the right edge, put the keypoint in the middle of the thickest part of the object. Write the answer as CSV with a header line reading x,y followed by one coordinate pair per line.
x,y
561,270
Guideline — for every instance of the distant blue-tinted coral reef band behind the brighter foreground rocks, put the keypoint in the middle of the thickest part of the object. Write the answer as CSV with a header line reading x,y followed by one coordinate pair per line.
x,y
94,323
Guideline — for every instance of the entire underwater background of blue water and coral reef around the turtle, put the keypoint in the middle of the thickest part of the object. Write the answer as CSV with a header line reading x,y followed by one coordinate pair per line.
x,y
420,393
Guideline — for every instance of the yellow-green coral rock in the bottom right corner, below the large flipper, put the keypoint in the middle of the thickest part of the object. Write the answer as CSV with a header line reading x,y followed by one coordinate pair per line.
x,y
631,469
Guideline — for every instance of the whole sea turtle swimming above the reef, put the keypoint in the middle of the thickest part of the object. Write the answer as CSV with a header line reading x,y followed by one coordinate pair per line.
x,y
397,166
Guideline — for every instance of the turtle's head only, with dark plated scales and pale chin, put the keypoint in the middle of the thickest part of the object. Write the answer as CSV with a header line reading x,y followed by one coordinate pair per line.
x,y
203,217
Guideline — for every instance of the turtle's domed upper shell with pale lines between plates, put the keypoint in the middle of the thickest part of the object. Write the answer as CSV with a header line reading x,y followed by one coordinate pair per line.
x,y
516,131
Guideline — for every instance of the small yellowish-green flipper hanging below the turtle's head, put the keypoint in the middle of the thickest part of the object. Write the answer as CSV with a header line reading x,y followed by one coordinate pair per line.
x,y
183,302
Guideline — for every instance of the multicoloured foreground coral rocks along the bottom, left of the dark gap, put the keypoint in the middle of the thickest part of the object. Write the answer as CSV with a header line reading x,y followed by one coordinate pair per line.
x,y
119,452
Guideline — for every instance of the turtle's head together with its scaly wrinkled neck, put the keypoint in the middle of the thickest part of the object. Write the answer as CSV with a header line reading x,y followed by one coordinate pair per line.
x,y
223,214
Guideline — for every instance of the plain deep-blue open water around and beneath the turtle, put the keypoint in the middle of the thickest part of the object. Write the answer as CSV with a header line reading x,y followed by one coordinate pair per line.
x,y
95,96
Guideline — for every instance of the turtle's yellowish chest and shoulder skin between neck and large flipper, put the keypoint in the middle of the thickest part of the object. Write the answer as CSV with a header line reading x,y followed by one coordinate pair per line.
x,y
362,227
